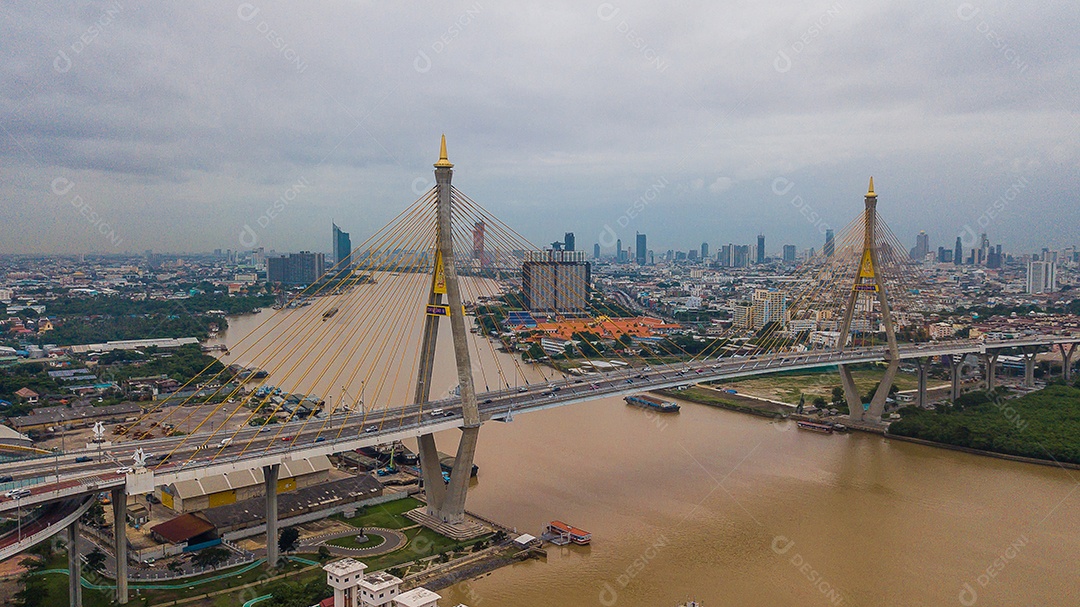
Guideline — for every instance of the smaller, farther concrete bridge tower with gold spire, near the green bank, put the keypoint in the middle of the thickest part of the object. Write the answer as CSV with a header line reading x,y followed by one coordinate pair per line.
x,y
869,284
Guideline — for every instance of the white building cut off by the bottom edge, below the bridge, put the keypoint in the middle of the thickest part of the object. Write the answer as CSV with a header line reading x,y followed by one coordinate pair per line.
x,y
354,589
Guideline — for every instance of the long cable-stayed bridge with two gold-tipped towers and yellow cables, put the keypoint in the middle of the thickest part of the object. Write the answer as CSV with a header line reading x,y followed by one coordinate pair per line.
x,y
369,334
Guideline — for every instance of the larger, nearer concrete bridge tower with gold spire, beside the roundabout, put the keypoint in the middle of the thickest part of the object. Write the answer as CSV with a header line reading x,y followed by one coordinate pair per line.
x,y
447,503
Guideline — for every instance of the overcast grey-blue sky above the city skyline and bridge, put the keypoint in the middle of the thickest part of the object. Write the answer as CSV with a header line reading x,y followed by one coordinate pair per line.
x,y
172,126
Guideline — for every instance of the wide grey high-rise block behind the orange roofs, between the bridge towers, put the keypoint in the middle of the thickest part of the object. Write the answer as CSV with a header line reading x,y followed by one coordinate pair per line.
x,y
557,281
